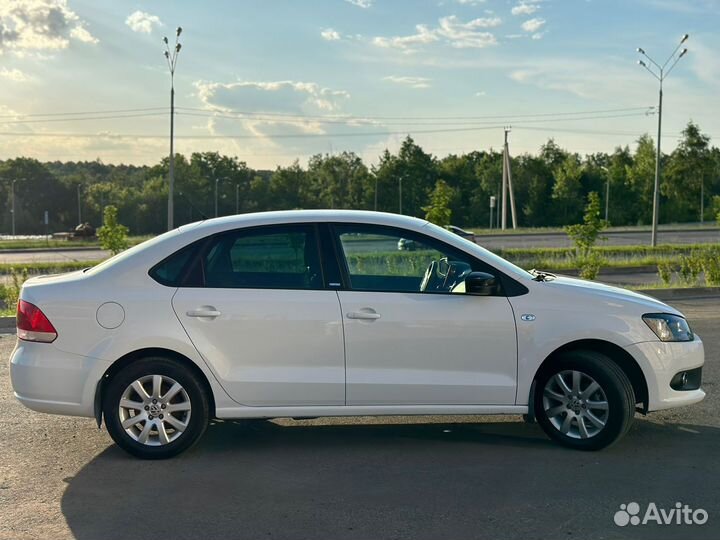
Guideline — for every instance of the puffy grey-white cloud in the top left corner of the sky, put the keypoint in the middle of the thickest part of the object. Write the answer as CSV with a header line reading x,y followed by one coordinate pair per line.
x,y
37,25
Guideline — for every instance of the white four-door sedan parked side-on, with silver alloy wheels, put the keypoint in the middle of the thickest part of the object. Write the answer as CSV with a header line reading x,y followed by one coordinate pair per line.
x,y
317,313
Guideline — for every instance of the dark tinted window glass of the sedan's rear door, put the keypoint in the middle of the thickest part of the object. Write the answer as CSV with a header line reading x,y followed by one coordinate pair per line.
x,y
284,257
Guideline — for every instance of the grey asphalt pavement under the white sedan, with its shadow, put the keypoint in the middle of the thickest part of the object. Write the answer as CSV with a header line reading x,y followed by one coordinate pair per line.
x,y
392,478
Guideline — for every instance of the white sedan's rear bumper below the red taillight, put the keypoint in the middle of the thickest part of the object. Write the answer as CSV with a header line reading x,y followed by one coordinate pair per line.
x,y
48,380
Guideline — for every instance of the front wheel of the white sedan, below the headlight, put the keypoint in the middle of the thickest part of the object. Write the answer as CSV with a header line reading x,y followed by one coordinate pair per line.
x,y
593,417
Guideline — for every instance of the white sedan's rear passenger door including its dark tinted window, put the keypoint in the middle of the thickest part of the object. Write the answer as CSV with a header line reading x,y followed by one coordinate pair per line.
x,y
261,317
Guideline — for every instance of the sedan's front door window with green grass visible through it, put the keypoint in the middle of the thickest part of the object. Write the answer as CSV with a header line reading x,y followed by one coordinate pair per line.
x,y
394,260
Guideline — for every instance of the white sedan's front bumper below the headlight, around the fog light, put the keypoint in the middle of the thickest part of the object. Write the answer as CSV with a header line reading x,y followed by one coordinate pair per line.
x,y
660,362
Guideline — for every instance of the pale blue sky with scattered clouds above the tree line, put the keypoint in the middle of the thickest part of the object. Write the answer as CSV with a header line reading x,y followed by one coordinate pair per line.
x,y
271,81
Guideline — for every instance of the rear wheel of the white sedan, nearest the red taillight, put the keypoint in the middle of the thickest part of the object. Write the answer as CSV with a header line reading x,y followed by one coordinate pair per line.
x,y
167,426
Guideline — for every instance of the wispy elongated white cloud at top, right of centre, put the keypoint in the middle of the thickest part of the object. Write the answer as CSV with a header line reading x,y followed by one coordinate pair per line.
x,y
451,30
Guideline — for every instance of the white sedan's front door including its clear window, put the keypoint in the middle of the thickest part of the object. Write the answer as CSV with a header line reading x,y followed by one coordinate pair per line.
x,y
411,340
